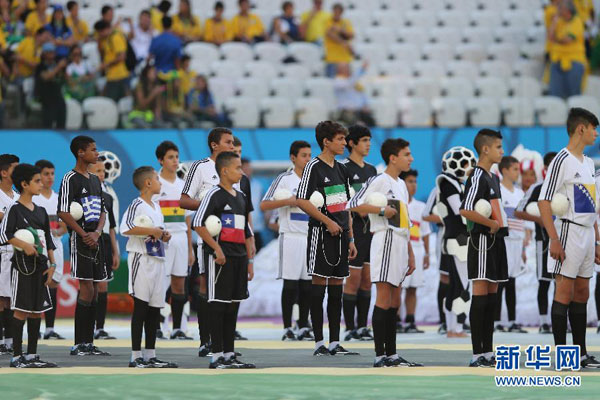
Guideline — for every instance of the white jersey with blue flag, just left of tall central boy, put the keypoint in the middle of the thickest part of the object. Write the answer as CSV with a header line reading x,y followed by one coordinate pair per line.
x,y
291,219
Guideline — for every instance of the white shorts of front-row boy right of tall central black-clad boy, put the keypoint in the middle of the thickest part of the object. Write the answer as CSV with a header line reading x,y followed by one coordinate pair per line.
x,y
389,257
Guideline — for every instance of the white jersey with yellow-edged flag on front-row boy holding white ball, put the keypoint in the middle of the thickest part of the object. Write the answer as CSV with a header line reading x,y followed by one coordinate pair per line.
x,y
395,191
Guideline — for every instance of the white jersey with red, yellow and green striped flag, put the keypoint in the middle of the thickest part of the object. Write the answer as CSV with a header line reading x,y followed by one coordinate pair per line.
x,y
168,200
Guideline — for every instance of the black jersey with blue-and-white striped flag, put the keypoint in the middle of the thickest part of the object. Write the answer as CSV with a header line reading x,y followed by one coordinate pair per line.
x,y
75,187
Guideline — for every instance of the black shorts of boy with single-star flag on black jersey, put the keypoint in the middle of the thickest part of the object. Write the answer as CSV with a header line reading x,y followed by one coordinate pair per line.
x,y
229,282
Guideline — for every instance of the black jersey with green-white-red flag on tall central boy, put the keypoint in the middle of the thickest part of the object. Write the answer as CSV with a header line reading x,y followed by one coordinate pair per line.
x,y
333,184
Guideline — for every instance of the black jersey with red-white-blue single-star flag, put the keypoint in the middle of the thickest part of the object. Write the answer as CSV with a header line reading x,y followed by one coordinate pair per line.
x,y
233,213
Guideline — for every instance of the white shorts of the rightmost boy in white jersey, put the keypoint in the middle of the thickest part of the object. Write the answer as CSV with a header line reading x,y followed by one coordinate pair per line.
x,y
579,243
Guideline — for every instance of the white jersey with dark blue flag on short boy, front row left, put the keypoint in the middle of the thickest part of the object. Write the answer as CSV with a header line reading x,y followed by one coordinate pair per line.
x,y
137,244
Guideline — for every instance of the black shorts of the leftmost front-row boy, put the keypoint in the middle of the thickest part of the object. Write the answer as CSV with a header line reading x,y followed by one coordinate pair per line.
x,y
29,292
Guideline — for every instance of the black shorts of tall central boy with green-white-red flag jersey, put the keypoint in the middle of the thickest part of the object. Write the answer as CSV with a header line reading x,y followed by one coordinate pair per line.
x,y
327,255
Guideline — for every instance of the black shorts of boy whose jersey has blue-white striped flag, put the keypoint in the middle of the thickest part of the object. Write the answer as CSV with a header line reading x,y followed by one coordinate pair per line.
x,y
87,264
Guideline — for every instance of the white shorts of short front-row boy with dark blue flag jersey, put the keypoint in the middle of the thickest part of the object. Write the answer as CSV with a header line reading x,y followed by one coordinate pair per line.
x,y
146,277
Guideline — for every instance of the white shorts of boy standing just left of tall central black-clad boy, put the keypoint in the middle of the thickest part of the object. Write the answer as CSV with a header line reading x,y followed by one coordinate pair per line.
x,y
292,257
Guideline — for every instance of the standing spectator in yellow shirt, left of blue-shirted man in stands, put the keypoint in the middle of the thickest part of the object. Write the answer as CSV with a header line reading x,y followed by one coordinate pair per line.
x,y
113,47
